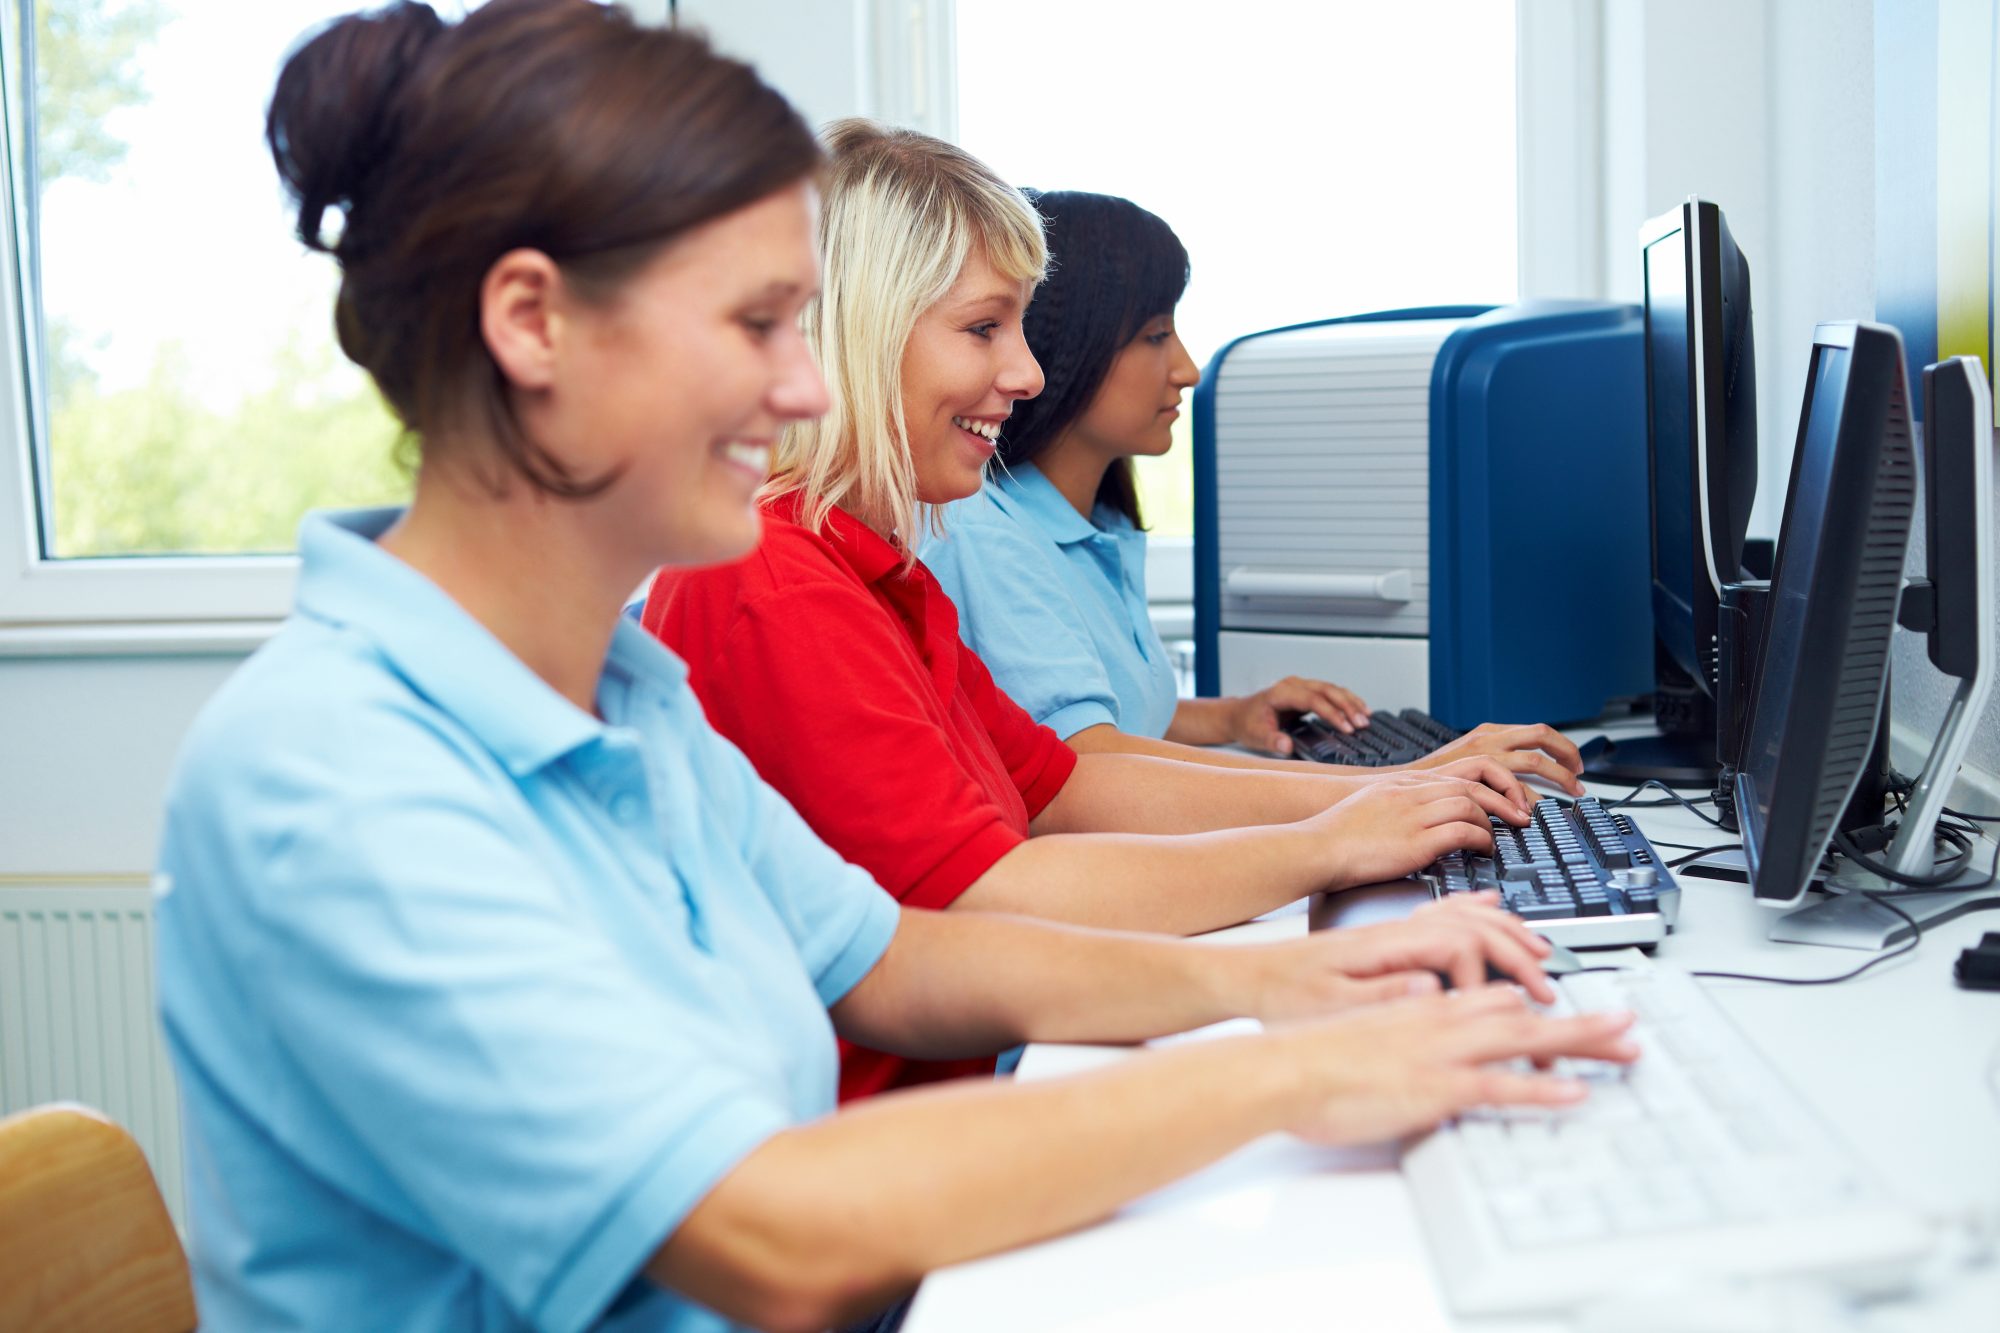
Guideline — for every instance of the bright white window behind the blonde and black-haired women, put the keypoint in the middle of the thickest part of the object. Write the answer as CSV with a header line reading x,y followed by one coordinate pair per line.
x,y
1315,157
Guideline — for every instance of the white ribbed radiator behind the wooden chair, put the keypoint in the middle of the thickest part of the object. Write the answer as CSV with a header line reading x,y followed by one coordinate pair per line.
x,y
77,1012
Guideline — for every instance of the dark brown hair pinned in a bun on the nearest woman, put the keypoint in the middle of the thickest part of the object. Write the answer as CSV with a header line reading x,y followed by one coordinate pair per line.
x,y
551,125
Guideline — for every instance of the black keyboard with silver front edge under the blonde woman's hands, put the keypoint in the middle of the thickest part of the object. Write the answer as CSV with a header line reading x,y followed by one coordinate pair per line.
x,y
1581,876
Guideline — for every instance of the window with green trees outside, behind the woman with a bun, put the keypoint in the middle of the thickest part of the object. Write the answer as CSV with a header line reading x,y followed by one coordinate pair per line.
x,y
183,393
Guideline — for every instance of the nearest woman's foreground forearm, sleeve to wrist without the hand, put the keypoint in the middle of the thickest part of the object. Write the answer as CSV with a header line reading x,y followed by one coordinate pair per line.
x,y
833,1220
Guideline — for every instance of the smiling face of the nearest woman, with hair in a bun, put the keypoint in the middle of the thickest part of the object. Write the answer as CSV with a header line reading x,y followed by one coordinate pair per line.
x,y
685,377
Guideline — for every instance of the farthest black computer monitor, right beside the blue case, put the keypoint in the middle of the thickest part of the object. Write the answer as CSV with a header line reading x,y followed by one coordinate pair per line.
x,y
1701,445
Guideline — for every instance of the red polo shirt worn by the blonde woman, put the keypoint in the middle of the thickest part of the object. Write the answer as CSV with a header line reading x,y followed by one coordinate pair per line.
x,y
841,676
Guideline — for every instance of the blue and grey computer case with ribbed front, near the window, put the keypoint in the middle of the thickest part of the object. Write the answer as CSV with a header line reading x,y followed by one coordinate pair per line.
x,y
1533,603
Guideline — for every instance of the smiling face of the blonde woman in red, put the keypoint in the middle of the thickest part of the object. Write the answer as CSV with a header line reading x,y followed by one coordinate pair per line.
x,y
963,371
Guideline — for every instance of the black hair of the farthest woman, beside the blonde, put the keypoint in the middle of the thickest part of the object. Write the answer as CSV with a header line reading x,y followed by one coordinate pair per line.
x,y
1113,269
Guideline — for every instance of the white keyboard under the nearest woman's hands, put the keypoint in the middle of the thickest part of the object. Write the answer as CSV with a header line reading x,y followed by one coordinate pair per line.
x,y
1697,1164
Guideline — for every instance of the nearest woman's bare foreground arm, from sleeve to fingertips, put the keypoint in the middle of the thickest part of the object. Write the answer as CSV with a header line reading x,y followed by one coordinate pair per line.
x,y
833,1220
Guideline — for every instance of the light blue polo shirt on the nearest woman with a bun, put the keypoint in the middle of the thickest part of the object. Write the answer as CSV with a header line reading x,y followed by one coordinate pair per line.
x,y
471,994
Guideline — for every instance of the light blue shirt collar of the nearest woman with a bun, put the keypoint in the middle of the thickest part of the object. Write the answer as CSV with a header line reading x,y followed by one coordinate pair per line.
x,y
449,657
